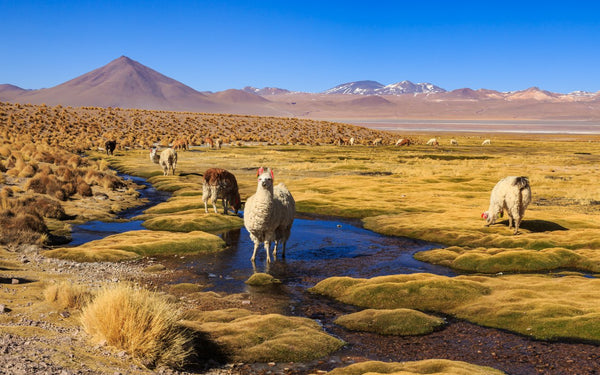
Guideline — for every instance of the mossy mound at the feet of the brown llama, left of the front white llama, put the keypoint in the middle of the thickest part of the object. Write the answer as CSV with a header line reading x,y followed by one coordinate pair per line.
x,y
192,220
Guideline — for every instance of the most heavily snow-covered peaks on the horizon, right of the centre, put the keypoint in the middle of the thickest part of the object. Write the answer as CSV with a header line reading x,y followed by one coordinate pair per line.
x,y
376,88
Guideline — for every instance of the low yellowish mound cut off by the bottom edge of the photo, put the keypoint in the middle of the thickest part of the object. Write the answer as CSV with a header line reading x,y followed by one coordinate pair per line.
x,y
428,366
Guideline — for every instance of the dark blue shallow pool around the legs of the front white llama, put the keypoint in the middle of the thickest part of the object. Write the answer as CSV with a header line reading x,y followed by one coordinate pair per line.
x,y
317,249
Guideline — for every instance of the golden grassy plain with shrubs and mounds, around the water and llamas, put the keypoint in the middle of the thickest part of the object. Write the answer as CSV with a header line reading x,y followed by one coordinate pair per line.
x,y
539,285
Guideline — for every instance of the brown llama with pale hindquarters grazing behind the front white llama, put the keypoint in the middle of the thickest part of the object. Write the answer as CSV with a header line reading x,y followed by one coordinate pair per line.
x,y
219,183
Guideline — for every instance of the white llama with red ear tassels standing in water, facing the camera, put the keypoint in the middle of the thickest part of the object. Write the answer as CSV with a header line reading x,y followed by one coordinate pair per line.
x,y
264,215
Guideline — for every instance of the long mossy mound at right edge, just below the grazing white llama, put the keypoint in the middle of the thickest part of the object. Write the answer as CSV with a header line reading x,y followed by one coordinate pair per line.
x,y
494,260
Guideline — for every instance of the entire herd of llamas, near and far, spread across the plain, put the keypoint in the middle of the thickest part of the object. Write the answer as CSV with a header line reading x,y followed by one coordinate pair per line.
x,y
269,212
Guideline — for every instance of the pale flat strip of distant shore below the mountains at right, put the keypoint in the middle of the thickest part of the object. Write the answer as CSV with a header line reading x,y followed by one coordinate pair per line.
x,y
482,126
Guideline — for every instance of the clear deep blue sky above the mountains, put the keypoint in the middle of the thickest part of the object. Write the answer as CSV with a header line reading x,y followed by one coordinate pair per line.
x,y
308,45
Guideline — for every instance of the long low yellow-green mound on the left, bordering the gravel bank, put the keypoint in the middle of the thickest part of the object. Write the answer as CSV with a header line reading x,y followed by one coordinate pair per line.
x,y
133,244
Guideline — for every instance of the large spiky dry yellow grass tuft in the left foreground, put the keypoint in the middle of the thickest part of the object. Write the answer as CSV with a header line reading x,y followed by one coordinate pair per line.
x,y
140,322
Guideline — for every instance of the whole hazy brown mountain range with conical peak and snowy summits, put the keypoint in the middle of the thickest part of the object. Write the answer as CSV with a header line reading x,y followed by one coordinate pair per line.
x,y
126,83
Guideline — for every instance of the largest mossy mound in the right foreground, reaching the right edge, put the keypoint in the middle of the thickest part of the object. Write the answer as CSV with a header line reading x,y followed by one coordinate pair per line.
x,y
544,307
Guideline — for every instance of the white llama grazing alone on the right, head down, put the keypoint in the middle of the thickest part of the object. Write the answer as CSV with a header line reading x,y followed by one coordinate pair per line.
x,y
512,194
